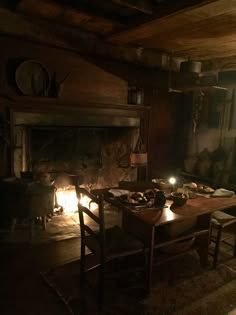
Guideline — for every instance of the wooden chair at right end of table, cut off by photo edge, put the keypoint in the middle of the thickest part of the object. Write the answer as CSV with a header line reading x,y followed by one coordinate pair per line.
x,y
220,221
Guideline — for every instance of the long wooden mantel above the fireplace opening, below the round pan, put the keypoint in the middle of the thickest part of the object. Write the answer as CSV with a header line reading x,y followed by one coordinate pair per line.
x,y
44,111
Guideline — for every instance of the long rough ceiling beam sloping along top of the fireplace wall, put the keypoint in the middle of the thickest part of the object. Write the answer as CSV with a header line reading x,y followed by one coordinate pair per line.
x,y
84,43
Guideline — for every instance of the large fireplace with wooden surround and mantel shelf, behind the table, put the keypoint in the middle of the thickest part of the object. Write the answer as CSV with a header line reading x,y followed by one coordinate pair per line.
x,y
89,143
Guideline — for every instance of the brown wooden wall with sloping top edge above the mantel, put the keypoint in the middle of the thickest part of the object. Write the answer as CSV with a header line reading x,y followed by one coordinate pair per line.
x,y
85,81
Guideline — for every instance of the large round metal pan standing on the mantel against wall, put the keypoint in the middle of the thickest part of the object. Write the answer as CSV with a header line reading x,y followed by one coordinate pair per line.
x,y
32,78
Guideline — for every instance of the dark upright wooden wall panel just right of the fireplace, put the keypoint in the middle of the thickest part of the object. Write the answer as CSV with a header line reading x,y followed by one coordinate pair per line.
x,y
167,132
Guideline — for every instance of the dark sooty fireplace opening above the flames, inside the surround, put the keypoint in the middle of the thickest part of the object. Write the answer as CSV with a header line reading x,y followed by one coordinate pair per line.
x,y
99,157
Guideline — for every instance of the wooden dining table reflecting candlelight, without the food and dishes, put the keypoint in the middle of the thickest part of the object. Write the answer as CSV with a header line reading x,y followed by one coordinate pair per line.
x,y
145,223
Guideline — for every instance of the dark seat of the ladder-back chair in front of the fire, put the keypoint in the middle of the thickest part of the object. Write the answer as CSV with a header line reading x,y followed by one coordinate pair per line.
x,y
118,243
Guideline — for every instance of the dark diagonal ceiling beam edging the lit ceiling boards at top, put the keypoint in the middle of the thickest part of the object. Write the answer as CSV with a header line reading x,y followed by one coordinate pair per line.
x,y
163,10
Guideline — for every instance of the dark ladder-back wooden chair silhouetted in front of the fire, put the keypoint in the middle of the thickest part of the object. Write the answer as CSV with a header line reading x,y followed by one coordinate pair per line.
x,y
105,244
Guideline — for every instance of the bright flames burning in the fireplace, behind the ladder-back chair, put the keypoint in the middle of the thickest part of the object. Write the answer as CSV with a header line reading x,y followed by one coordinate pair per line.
x,y
66,197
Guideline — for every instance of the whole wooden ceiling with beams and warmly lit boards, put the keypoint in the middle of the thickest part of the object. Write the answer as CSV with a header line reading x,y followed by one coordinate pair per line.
x,y
190,29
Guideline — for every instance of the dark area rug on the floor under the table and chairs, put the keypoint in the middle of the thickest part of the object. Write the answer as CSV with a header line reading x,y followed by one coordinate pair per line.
x,y
182,288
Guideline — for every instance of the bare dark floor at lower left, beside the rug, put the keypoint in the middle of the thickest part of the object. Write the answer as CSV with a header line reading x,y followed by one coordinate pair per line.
x,y
22,290
